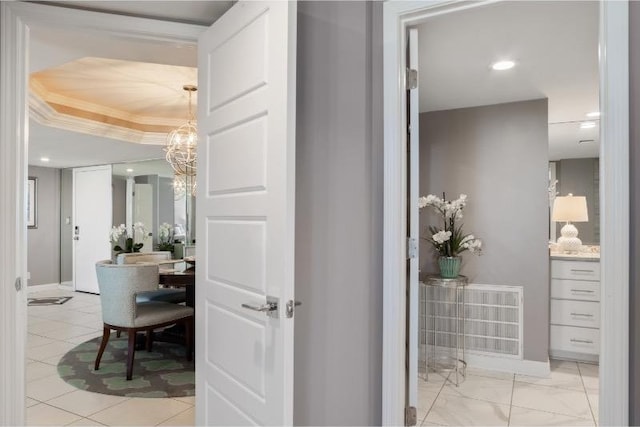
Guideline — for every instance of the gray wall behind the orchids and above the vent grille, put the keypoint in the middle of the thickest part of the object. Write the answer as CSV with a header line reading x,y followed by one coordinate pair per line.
x,y
498,156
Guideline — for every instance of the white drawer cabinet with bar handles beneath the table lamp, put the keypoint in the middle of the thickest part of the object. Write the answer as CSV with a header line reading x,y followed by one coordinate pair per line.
x,y
575,309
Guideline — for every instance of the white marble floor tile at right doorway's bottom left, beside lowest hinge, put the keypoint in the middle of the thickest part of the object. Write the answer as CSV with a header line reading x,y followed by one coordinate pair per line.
x,y
460,411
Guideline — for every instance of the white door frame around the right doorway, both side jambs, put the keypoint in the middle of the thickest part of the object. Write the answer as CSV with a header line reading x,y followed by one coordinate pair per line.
x,y
614,203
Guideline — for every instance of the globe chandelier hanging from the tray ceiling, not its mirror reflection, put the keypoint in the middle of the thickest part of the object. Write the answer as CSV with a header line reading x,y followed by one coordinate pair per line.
x,y
182,143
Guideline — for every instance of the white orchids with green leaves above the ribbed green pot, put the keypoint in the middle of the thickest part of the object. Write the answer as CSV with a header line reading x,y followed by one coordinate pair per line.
x,y
449,241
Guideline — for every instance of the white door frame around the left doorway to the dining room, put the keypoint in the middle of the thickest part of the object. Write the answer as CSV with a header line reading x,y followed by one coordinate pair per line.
x,y
16,18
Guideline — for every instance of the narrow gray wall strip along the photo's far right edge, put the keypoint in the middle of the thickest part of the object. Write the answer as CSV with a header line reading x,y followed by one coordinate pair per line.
x,y
634,159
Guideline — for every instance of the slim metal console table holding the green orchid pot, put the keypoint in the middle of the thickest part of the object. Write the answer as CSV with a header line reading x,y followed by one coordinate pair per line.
x,y
444,335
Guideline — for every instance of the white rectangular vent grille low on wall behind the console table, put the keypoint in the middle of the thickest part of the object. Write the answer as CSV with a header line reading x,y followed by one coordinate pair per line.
x,y
493,323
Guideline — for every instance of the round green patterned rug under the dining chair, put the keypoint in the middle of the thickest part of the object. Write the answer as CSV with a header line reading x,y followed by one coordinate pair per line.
x,y
163,372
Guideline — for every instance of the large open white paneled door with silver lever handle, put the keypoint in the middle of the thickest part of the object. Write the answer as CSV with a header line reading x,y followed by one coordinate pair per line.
x,y
245,215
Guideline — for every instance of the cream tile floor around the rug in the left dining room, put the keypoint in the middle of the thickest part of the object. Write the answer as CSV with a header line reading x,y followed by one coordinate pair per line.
x,y
55,329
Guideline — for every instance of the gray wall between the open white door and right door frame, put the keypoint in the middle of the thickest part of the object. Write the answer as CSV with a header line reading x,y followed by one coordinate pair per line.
x,y
338,338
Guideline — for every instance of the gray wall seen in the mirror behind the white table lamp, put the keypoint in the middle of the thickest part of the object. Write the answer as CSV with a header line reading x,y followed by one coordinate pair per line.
x,y
580,178
